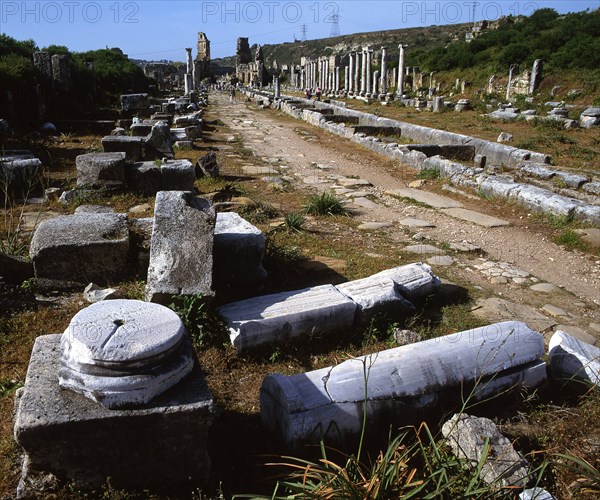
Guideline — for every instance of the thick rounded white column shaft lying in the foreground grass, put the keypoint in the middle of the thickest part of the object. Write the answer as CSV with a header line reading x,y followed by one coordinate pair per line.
x,y
403,385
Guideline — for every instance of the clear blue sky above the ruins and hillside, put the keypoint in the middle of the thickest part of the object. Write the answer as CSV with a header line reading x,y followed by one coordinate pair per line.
x,y
153,29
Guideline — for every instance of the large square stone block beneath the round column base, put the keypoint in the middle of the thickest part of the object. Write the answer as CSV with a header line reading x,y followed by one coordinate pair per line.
x,y
72,438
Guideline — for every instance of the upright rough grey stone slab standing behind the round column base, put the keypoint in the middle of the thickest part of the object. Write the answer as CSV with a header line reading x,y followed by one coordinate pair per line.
x,y
181,249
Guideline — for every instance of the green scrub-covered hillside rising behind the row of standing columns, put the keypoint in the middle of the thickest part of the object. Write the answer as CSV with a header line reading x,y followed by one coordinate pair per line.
x,y
568,45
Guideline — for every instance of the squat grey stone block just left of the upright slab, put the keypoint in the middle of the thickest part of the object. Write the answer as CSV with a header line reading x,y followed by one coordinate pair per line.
x,y
81,248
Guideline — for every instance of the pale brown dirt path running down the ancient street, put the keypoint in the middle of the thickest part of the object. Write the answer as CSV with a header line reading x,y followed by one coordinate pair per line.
x,y
295,148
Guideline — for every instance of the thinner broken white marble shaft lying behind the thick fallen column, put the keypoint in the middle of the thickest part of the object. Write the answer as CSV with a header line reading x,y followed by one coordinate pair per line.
x,y
279,317
